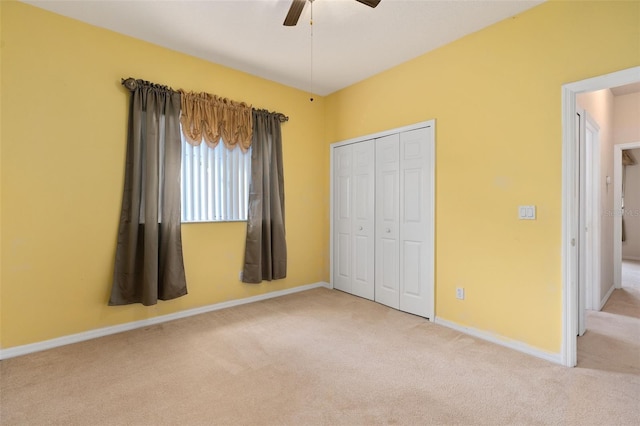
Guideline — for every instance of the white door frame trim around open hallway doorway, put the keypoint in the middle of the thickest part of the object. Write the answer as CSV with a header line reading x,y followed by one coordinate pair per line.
x,y
569,346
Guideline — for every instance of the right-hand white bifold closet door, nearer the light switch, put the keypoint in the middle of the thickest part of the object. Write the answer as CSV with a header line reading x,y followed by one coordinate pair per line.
x,y
403,249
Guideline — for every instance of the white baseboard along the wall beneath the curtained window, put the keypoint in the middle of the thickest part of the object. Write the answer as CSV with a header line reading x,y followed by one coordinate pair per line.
x,y
105,331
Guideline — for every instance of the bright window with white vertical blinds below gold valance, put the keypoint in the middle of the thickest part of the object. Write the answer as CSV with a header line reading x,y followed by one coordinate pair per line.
x,y
214,183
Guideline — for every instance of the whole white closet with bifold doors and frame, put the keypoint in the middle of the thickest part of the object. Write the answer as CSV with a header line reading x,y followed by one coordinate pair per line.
x,y
383,218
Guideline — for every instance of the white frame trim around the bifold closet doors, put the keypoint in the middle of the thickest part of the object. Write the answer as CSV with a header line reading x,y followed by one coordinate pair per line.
x,y
431,124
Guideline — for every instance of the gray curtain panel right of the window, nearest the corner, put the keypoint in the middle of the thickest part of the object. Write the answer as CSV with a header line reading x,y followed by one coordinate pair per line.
x,y
266,248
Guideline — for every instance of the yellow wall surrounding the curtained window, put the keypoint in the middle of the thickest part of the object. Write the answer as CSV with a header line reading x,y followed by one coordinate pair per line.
x,y
63,147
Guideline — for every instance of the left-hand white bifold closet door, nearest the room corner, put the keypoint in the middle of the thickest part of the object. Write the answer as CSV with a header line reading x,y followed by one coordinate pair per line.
x,y
354,243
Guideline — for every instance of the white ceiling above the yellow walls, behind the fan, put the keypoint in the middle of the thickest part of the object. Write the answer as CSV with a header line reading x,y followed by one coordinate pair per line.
x,y
350,40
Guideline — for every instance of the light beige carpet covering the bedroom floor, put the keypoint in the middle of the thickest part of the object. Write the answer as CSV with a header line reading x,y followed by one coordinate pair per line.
x,y
320,357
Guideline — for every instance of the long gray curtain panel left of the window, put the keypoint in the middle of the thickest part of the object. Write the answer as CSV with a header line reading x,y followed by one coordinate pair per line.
x,y
149,263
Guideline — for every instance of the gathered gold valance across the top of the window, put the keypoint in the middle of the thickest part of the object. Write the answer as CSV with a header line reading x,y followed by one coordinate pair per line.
x,y
209,117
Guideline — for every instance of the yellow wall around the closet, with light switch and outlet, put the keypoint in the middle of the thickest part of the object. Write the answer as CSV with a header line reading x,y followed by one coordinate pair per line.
x,y
496,98
